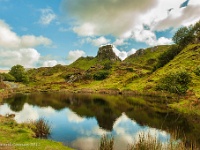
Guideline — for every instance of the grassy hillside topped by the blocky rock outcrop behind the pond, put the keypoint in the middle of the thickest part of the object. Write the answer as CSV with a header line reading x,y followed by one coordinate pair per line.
x,y
118,74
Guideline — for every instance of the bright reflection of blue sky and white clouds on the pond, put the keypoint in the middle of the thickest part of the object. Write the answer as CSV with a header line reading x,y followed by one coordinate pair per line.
x,y
81,132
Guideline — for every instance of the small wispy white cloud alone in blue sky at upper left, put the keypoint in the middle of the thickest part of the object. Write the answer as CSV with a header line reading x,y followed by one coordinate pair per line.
x,y
47,16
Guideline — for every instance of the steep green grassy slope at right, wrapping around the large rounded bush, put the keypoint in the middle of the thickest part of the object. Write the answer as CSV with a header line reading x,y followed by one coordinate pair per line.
x,y
188,60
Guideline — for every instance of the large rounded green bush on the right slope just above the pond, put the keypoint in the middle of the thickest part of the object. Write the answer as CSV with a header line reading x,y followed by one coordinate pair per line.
x,y
175,82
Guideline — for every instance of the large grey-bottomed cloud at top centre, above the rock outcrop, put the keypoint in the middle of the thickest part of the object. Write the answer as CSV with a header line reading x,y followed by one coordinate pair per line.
x,y
94,17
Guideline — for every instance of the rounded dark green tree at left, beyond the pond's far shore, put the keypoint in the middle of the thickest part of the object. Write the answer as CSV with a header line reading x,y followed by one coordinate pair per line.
x,y
19,73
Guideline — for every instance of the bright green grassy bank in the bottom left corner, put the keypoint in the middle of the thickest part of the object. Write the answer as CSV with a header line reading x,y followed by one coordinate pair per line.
x,y
13,133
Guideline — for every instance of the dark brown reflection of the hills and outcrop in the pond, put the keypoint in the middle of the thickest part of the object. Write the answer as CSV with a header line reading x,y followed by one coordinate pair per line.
x,y
106,109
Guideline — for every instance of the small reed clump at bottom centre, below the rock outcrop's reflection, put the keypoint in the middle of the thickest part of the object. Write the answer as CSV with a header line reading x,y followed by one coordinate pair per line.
x,y
106,143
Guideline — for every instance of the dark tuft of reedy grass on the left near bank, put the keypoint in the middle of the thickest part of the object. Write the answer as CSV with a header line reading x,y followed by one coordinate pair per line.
x,y
41,128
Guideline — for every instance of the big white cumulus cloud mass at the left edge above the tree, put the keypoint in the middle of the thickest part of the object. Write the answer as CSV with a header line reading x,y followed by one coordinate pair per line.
x,y
16,49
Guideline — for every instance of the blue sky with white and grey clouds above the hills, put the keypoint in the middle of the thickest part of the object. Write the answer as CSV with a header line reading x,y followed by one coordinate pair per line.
x,y
36,33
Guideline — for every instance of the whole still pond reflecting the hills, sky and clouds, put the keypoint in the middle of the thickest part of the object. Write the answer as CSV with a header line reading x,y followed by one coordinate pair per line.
x,y
79,120
